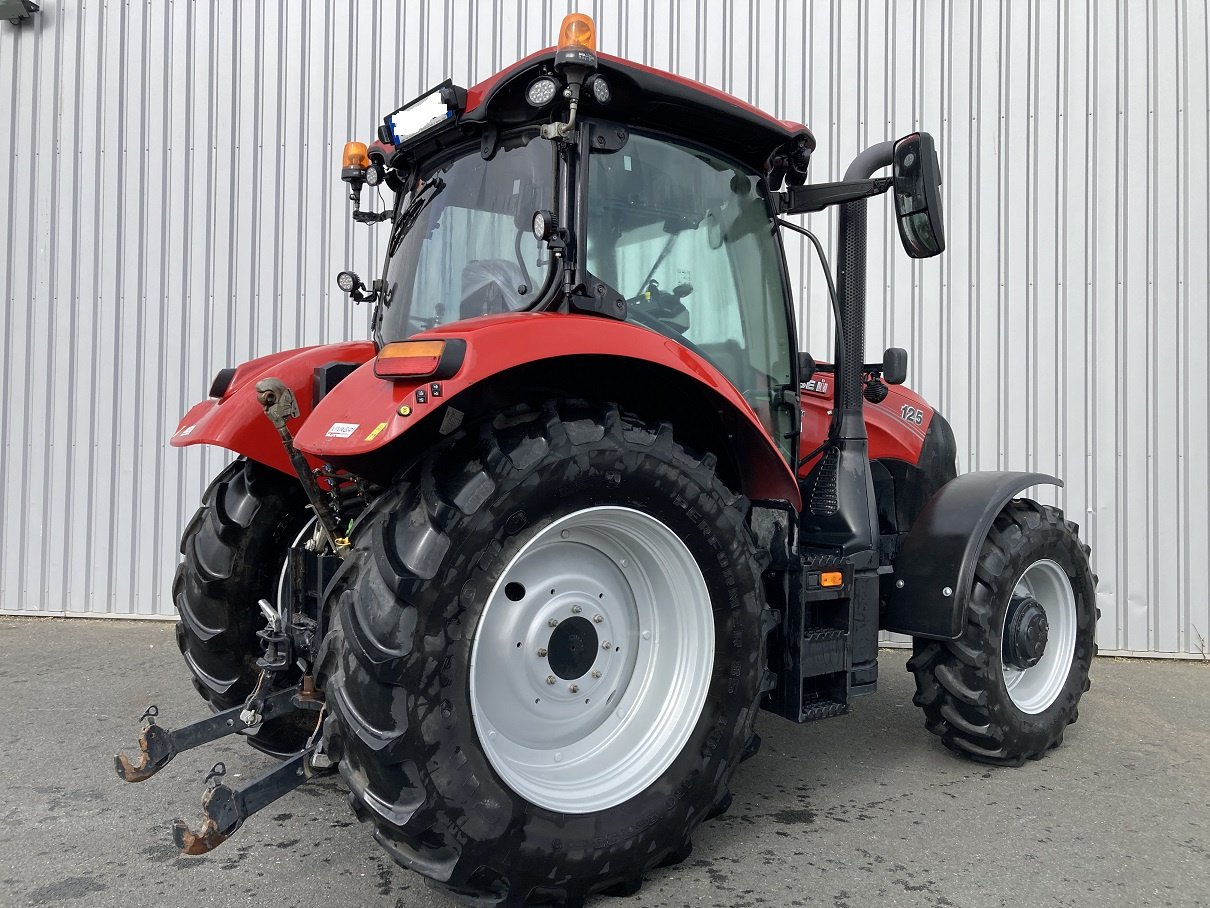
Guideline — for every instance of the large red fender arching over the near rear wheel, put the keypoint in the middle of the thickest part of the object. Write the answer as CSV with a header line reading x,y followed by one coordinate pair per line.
x,y
366,413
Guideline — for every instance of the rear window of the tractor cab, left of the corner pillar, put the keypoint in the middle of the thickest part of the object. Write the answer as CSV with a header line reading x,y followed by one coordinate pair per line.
x,y
463,245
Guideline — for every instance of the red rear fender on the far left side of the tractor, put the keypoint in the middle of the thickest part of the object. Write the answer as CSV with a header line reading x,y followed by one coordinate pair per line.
x,y
238,423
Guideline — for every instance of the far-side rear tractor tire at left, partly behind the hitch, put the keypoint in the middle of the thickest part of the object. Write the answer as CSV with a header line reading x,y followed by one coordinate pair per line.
x,y
234,550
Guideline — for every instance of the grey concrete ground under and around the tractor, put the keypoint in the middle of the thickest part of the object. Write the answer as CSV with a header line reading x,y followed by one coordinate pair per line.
x,y
867,811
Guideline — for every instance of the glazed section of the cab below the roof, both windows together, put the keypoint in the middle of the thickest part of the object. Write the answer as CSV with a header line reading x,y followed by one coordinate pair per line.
x,y
681,235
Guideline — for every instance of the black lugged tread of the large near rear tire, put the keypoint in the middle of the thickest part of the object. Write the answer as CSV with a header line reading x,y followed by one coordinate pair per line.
x,y
376,662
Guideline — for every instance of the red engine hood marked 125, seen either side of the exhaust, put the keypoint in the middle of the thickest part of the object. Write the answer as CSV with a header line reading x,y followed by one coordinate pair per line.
x,y
891,435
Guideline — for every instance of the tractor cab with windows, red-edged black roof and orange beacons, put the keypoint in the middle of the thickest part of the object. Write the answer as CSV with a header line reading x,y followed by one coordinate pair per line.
x,y
578,182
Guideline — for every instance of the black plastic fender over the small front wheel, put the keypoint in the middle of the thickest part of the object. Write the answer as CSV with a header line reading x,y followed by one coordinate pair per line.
x,y
927,594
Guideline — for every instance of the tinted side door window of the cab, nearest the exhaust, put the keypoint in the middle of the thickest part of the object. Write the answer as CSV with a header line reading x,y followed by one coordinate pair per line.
x,y
688,238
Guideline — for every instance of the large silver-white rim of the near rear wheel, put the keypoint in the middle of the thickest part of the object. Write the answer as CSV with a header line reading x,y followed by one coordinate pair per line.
x,y
602,576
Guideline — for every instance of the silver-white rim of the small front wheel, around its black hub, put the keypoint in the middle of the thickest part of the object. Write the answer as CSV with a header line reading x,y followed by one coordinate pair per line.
x,y
1034,689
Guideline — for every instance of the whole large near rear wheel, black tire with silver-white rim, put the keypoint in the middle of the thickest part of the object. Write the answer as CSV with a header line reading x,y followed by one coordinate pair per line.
x,y
509,559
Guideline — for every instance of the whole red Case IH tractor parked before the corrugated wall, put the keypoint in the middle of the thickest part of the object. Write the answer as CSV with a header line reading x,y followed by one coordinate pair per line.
x,y
526,567
